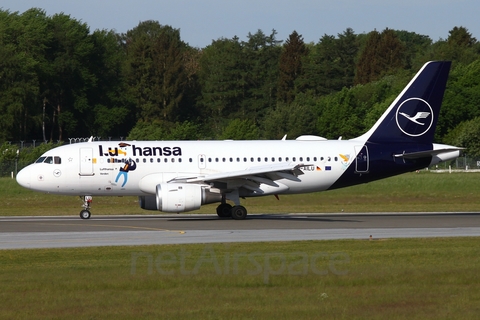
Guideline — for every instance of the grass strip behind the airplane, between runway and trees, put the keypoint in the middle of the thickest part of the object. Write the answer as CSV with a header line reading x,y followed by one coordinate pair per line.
x,y
423,192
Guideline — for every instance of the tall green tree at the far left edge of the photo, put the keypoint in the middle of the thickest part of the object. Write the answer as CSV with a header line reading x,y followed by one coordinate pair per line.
x,y
23,42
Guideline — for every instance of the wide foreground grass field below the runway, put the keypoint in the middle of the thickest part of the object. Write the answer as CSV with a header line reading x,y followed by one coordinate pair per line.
x,y
379,279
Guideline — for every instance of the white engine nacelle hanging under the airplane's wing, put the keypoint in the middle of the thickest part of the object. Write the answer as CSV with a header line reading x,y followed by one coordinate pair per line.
x,y
179,197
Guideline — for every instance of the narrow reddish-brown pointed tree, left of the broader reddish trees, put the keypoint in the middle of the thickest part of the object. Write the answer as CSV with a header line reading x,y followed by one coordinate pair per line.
x,y
291,67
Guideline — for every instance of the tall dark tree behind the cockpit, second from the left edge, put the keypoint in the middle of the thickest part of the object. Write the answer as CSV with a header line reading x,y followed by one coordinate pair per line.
x,y
69,76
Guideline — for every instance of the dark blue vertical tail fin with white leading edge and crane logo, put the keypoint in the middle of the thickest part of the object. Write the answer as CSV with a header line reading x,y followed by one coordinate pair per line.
x,y
413,116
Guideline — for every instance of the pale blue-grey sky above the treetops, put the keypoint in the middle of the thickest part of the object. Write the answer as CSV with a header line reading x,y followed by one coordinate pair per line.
x,y
202,21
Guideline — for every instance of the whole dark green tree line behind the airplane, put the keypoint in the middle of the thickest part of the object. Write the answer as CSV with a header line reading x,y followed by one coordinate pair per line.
x,y
58,80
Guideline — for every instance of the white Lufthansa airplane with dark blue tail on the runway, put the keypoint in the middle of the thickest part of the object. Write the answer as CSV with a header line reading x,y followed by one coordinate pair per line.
x,y
181,176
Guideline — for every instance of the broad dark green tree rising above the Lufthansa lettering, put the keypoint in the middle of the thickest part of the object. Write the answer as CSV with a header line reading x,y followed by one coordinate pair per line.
x,y
155,70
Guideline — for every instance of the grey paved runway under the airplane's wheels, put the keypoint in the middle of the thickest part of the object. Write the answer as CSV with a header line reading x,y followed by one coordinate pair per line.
x,y
71,231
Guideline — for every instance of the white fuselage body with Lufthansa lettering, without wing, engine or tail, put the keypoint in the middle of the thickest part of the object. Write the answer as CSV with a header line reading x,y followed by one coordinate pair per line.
x,y
95,168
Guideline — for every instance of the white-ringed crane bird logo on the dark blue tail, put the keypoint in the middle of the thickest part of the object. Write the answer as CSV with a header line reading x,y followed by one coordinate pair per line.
x,y
414,117
